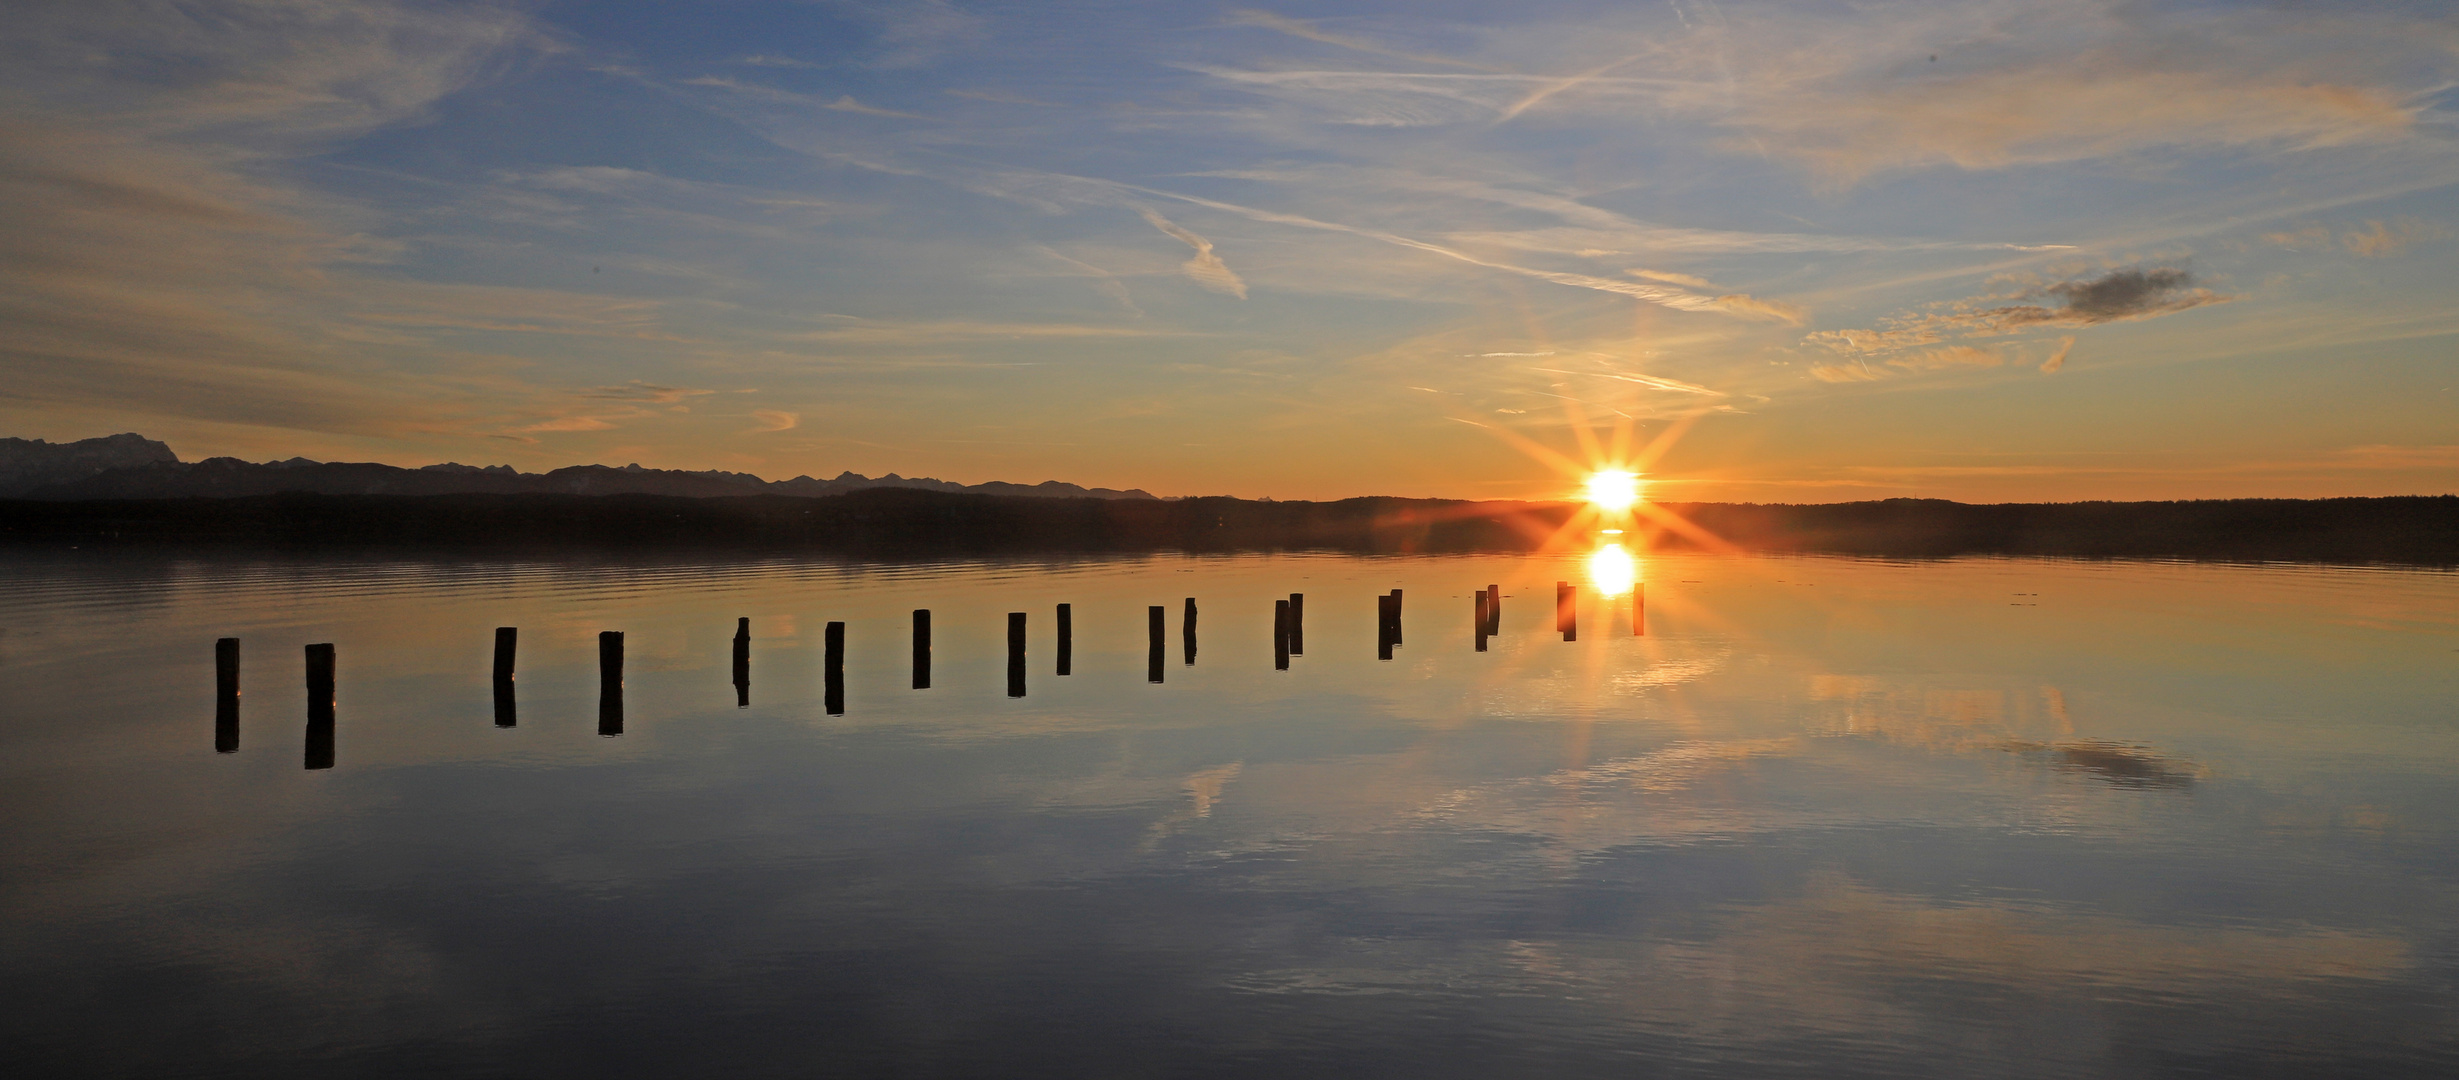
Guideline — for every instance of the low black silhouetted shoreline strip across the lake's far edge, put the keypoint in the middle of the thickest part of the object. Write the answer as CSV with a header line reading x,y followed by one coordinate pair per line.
x,y
891,523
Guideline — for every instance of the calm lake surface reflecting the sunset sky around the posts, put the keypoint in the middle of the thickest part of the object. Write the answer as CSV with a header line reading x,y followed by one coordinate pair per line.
x,y
1826,818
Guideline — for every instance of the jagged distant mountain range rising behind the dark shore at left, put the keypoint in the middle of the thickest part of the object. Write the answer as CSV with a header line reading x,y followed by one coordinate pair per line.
x,y
141,469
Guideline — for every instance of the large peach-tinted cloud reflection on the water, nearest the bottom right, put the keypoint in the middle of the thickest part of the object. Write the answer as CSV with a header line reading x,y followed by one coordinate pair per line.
x,y
1845,958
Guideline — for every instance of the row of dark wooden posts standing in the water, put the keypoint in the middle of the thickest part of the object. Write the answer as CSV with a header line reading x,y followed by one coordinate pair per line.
x,y
1287,641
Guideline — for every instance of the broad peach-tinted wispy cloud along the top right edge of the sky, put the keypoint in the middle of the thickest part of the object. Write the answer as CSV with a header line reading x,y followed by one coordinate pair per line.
x,y
1850,95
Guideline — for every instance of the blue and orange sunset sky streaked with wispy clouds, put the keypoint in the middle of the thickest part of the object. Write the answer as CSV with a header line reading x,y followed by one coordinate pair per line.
x,y
1784,252
